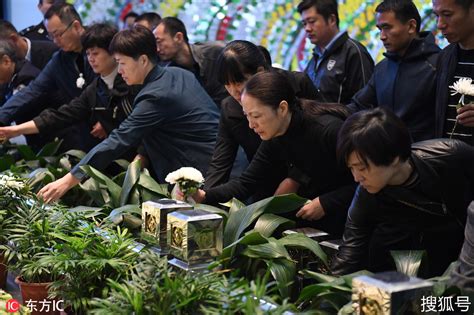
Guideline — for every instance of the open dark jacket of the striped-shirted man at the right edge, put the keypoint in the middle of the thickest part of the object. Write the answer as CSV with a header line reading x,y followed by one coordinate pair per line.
x,y
447,62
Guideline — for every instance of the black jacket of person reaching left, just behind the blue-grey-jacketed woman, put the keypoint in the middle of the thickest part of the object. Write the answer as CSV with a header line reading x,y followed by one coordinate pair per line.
x,y
96,104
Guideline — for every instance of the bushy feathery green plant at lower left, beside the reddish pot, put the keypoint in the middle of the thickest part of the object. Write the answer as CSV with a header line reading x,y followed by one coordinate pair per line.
x,y
87,262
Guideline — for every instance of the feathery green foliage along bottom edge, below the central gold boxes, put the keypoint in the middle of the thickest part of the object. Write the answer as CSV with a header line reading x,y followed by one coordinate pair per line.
x,y
156,289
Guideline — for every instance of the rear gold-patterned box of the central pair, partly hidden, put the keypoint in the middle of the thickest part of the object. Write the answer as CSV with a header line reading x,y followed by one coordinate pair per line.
x,y
154,216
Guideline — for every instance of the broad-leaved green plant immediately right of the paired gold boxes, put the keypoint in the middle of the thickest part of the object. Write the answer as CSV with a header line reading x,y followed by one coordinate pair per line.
x,y
255,251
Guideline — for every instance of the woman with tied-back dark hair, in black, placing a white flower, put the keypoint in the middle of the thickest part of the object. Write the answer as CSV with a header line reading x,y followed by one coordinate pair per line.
x,y
301,135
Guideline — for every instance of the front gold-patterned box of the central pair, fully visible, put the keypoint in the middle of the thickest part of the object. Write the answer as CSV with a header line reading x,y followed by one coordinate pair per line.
x,y
195,236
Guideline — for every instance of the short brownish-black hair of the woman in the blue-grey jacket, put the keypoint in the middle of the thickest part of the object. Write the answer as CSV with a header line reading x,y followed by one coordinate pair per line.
x,y
135,42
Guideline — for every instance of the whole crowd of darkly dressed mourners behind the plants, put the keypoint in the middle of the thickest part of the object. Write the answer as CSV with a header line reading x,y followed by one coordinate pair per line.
x,y
384,152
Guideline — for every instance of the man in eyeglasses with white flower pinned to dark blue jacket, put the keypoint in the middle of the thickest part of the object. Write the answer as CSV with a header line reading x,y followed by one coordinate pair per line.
x,y
68,73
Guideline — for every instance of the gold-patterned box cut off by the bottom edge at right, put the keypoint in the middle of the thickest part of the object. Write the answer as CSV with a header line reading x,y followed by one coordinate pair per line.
x,y
389,293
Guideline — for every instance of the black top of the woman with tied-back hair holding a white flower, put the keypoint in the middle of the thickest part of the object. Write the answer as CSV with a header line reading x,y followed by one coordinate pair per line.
x,y
309,145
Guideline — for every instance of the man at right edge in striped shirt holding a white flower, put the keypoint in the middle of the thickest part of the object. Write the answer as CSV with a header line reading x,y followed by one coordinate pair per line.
x,y
456,22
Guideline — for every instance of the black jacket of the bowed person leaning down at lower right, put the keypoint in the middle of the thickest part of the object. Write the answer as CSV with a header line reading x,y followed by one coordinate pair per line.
x,y
429,213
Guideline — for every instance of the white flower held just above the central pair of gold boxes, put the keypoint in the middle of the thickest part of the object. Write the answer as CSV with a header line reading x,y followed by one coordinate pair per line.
x,y
188,180
